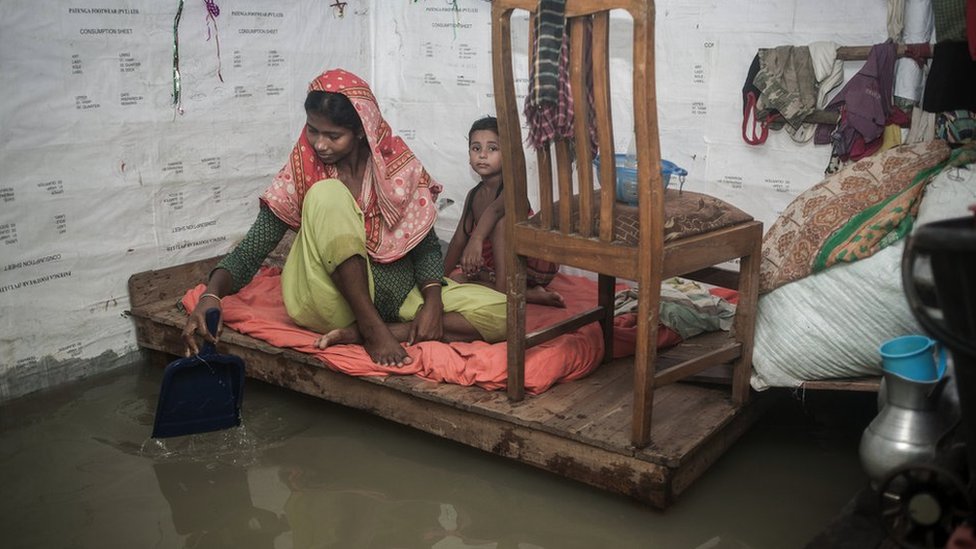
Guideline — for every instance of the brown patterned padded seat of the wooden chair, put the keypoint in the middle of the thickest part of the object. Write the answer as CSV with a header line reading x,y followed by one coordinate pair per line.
x,y
686,214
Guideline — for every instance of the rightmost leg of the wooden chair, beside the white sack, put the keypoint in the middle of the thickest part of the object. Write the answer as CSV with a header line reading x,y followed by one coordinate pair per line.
x,y
745,318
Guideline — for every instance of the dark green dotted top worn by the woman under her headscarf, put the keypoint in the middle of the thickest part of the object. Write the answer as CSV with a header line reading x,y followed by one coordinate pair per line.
x,y
392,281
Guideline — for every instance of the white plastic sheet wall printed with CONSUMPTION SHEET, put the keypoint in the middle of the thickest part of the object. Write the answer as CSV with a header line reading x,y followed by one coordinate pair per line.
x,y
104,176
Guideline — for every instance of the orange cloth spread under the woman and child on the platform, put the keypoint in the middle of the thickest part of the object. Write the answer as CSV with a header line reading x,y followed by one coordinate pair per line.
x,y
257,310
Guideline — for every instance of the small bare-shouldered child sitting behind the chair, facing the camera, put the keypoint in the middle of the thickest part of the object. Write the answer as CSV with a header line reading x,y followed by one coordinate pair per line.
x,y
475,252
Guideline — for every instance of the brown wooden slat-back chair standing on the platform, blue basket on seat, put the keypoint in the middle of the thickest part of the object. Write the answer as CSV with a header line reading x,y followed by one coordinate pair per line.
x,y
589,230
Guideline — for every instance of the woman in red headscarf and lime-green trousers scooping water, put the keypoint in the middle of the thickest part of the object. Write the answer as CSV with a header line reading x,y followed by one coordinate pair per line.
x,y
365,266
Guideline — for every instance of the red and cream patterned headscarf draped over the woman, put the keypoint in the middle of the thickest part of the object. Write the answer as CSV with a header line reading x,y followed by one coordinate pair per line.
x,y
398,193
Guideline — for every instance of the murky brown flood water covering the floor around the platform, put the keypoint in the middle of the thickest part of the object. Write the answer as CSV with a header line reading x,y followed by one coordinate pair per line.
x,y
78,469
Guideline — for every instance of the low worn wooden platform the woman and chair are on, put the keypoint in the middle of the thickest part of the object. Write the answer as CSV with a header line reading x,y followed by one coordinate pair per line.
x,y
579,430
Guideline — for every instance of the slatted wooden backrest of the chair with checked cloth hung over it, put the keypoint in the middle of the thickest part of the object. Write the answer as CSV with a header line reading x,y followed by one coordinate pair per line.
x,y
560,209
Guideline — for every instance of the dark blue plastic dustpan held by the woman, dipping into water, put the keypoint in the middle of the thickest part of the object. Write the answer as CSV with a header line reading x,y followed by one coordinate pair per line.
x,y
200,393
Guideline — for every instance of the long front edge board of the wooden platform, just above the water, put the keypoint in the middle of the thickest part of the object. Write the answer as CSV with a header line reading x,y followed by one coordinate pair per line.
x,y
615,471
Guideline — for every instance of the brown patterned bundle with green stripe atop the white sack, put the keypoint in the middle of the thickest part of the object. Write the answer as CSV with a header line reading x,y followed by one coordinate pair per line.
x,y
865,203
